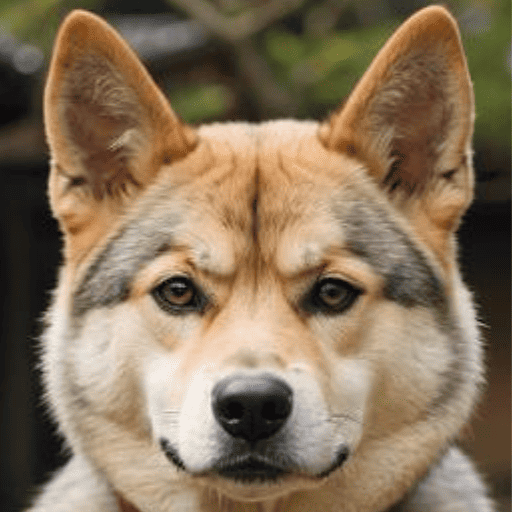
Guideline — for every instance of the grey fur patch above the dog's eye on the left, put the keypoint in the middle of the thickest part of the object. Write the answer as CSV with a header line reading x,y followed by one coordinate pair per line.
x,y
107,281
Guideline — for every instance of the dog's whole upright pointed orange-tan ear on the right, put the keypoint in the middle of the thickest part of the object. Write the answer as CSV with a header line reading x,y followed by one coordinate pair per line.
x,y
410,118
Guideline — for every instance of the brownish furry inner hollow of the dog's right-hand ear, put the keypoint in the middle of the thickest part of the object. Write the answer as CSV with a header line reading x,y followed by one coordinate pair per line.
x,y
412,118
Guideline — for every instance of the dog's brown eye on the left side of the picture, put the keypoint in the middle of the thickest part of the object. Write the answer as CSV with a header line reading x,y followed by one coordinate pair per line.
x,y
178,295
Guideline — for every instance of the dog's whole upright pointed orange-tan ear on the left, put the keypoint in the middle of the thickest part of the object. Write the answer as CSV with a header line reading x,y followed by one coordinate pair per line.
x,y
109,127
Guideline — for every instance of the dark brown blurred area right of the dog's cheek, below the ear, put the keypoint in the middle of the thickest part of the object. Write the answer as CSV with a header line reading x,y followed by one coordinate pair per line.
x,y
485,248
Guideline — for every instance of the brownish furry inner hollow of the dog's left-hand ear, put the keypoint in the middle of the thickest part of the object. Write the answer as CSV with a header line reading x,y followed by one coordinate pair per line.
x,y
105,125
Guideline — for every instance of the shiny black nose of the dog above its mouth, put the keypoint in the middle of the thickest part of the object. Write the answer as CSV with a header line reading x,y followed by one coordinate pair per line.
x,y
252,408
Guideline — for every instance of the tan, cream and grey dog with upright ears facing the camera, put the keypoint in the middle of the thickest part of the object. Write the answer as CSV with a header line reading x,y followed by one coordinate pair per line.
x,y
262,317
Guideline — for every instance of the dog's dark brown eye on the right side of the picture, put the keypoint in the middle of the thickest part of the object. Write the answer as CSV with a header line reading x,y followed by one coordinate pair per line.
x,y
331,296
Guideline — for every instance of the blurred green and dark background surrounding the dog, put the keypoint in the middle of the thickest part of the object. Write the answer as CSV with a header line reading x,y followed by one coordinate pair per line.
x,y
228,60
